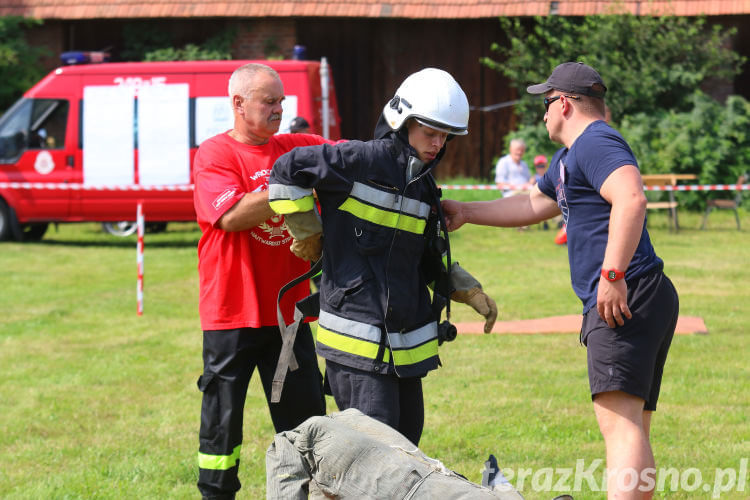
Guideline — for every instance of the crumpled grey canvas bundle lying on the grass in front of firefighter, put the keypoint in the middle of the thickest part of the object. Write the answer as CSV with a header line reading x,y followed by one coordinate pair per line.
x,y
348,455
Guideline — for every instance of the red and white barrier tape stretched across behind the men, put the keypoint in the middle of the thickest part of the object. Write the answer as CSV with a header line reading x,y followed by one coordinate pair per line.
x,y
468,187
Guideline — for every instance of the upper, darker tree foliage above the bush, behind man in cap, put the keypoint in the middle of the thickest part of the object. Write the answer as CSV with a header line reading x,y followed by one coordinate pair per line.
x,y
647,62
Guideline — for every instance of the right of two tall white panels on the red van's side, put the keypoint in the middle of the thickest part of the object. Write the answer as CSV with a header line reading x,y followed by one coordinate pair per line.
x,y
163,135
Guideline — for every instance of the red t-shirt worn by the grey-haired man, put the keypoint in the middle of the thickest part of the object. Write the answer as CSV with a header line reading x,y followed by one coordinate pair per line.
x,y
241,272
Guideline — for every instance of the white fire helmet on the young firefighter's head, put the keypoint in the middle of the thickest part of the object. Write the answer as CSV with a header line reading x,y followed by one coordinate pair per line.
x,y
433,98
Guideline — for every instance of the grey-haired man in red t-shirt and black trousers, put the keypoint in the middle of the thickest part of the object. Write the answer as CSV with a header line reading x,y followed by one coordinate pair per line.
x,y
243,261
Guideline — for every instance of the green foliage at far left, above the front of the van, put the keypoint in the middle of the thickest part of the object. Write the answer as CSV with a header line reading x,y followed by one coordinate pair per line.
x,y
19,61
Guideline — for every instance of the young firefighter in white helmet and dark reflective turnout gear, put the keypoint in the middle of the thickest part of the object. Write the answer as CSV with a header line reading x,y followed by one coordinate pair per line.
x,y
384,279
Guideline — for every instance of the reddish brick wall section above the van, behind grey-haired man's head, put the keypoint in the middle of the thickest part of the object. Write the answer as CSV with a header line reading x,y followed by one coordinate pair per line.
x,y
266,38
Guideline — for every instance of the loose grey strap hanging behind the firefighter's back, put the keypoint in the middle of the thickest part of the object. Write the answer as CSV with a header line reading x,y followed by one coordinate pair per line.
x,y
305,308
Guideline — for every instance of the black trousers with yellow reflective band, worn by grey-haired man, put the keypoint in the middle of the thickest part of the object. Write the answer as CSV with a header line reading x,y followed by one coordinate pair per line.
x,y
229,359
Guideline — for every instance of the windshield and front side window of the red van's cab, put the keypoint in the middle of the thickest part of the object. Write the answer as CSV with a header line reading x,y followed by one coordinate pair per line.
x,y
32,124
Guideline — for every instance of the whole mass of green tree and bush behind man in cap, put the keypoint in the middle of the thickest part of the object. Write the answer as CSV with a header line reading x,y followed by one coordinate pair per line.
x,y
654,68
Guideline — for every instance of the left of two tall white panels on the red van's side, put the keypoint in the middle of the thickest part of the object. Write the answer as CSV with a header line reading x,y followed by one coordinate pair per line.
x,y
108,113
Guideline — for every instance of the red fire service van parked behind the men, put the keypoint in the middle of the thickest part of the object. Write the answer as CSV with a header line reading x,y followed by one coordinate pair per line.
x,y
89,141
